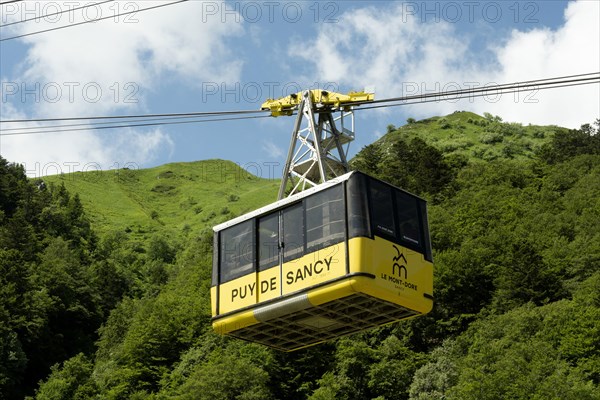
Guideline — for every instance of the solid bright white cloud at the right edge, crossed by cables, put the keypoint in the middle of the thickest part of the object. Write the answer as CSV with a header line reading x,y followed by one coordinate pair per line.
x,y
572,49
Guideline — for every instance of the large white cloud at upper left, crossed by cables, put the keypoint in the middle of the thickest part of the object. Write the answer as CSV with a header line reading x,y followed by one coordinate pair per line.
x,y
111,67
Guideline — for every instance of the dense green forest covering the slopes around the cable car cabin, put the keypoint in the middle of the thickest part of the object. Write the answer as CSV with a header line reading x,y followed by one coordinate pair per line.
x,y
517,293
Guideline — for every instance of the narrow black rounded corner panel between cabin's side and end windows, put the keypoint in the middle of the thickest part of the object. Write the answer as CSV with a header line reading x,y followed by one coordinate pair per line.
x,y
358,212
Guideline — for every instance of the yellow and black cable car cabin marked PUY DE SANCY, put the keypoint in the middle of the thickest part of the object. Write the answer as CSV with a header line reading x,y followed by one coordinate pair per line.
x,y
350,254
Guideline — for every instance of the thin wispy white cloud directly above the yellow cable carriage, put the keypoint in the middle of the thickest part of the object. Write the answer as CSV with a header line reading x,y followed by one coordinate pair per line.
x,y
355,53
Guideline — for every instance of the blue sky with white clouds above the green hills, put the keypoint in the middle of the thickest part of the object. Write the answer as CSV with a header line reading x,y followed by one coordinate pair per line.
x,y
218,56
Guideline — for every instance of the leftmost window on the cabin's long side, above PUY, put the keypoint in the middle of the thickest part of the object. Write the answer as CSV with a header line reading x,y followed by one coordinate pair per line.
x,y
237,251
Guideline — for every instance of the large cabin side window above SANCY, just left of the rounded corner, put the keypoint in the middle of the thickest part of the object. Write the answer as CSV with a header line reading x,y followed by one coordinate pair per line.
x,y
325,218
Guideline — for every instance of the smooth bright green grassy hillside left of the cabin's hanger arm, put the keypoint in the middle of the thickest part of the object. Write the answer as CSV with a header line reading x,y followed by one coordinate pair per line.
x,y
173,197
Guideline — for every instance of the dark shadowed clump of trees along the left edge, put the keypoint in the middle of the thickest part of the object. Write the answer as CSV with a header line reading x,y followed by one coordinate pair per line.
x,y
48,304
